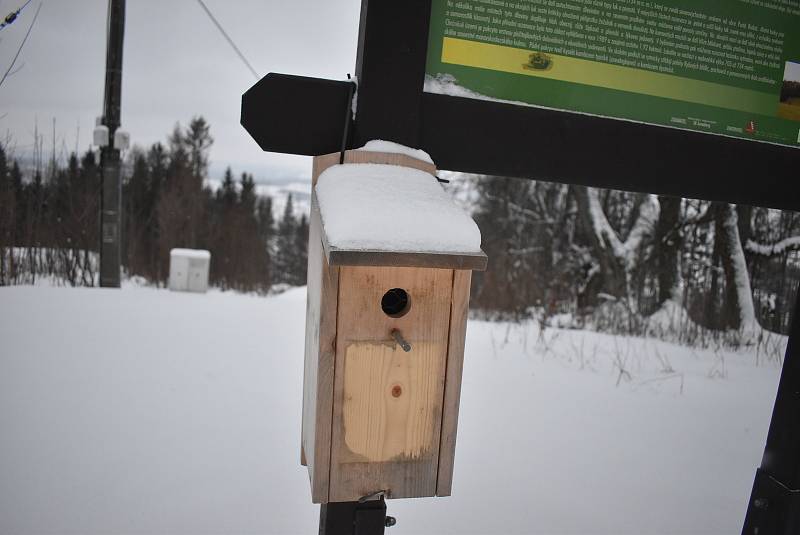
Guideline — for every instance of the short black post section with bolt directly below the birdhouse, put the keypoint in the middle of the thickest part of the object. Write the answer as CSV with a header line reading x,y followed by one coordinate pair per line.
x,y
354,518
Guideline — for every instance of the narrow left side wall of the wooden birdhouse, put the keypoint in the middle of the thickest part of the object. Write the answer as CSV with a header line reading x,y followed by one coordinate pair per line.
x,y
320,354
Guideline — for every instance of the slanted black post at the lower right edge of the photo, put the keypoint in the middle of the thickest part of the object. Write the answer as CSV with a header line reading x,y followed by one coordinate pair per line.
x,y
774,507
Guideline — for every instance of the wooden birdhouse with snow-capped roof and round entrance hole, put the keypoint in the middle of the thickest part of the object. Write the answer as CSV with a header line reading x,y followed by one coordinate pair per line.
x,y
390,260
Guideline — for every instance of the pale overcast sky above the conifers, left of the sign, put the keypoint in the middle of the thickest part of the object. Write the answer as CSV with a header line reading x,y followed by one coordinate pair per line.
x,y
175,65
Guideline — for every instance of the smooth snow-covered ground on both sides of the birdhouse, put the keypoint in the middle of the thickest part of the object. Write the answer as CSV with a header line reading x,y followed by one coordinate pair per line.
x,y
149,412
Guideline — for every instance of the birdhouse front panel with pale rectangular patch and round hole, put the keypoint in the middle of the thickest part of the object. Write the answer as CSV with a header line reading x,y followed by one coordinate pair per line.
x,y
366,456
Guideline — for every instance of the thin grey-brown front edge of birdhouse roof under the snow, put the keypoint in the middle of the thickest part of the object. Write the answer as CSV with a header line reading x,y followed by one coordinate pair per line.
x,y
459,261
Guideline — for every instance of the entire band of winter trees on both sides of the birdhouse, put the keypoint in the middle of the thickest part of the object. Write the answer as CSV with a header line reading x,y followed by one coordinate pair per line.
x,y
610,260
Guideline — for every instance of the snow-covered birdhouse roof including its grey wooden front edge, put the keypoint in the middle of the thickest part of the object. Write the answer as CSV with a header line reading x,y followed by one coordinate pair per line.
x,y
399,215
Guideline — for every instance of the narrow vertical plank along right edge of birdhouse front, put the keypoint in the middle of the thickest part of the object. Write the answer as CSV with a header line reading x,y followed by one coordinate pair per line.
x,y
452,393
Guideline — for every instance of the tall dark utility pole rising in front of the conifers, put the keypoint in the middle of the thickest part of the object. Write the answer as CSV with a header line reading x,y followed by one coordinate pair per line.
x,y
111,206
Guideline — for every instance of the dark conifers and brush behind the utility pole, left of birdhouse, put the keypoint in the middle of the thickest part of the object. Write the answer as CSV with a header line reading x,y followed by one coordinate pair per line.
x,y
49,222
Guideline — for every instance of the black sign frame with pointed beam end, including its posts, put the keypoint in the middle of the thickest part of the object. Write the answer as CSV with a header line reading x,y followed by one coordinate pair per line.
x,y
312,117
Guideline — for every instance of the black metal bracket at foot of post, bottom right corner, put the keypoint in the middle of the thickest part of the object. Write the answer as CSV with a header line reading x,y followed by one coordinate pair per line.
x,y
774,508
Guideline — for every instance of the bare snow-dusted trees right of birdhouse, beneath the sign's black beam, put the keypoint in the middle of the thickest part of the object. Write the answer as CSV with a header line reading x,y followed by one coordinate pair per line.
x,y
617,260
